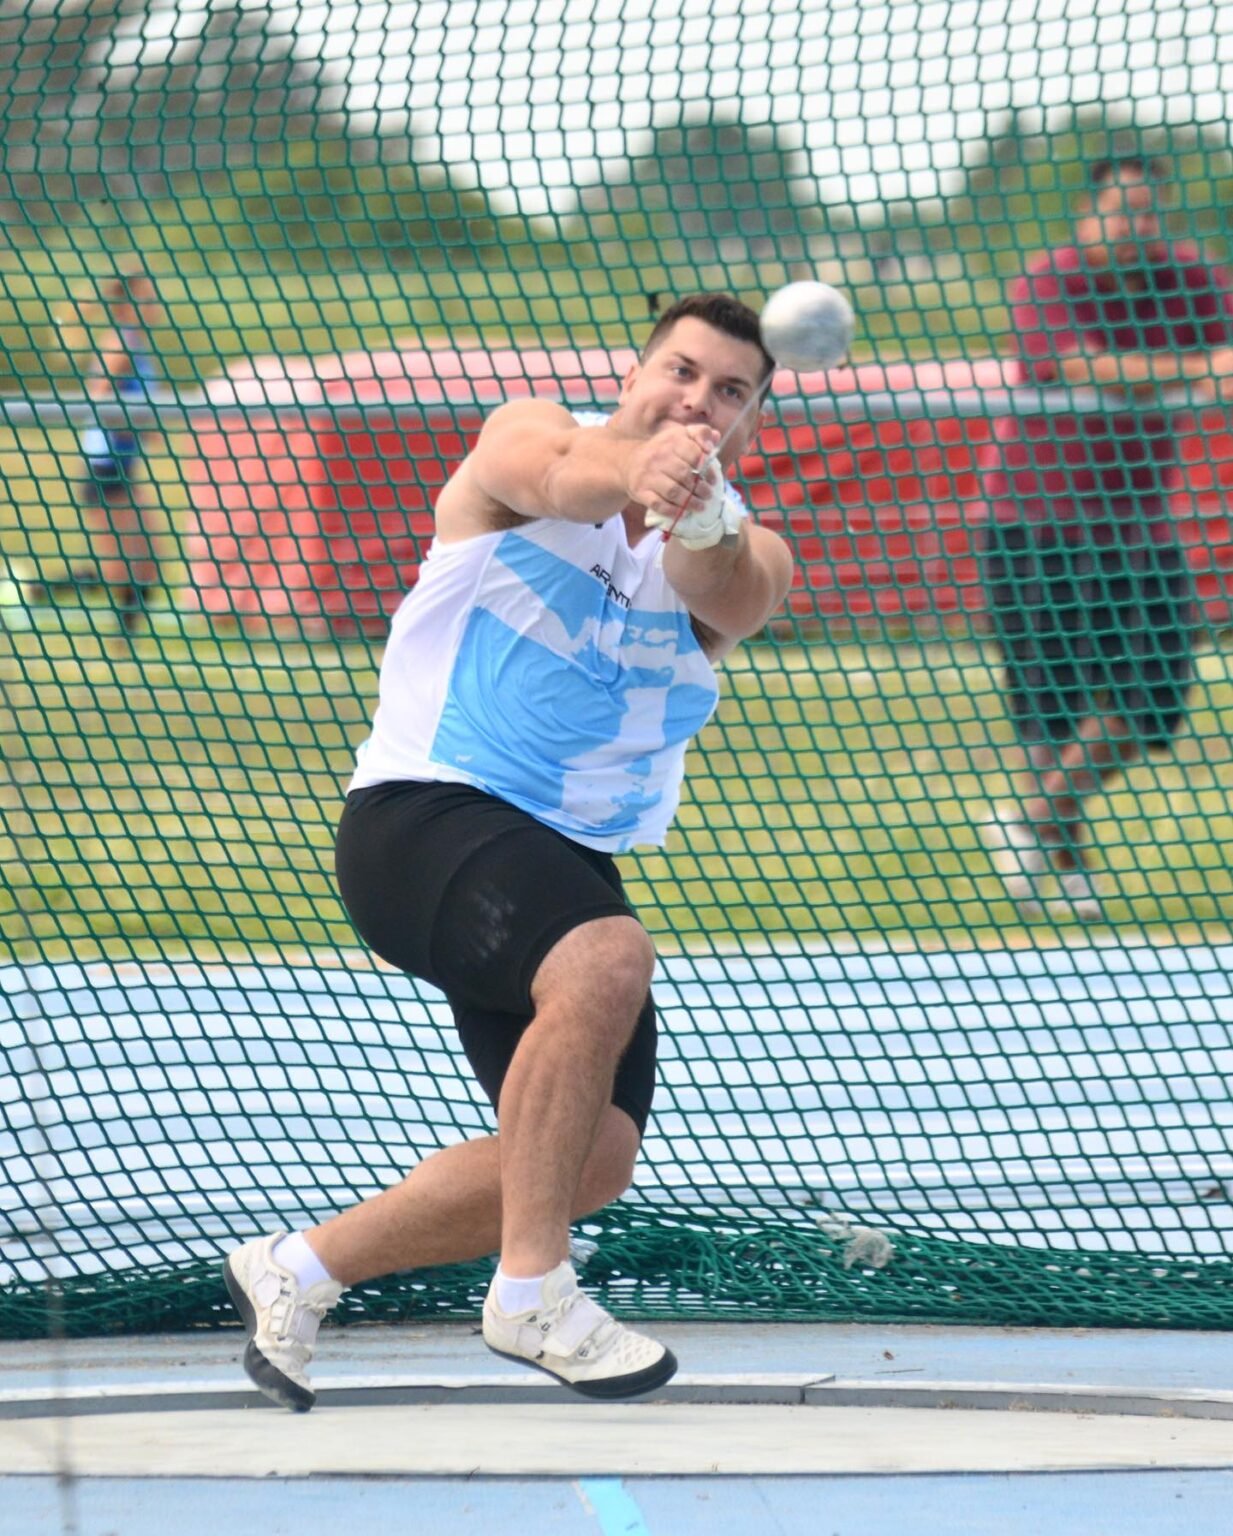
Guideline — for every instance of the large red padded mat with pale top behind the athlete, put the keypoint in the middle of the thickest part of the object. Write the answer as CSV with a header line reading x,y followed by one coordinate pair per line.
x,y
325,518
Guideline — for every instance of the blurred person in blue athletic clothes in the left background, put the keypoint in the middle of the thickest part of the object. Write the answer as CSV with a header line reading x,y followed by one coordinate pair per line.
x,y
113,489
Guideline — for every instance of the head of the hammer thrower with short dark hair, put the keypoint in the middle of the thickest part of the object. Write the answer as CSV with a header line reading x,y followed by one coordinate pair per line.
x,y
696,376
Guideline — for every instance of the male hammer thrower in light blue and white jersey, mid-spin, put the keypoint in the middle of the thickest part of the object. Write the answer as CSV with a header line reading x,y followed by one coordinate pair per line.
x,y
538,694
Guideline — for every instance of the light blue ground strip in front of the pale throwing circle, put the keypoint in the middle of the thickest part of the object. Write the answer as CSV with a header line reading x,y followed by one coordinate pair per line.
x,y
1083,1505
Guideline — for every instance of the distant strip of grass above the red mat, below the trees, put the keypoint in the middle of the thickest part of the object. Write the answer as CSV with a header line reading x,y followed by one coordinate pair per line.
x,y
554,297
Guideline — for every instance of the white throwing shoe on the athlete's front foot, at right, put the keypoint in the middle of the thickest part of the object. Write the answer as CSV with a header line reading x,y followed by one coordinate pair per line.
x,y
575,1340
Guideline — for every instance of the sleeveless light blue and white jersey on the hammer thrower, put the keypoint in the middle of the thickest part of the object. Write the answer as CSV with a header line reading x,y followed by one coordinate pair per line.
x,y
552,666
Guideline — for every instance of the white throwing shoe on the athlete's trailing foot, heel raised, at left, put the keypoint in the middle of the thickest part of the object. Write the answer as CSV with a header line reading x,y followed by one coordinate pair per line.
x,y
282,1319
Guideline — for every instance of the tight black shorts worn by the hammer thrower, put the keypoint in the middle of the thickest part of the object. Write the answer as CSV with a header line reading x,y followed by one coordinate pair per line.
x,y
469,895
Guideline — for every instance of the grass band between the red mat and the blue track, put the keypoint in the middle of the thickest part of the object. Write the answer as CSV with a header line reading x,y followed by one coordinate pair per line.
x,y
177,793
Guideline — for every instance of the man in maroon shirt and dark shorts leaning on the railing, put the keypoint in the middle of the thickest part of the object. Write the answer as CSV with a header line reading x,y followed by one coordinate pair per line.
x,y
1089,592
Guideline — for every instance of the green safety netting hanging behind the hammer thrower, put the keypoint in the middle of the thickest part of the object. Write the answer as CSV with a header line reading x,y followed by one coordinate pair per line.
x,y
265,268
